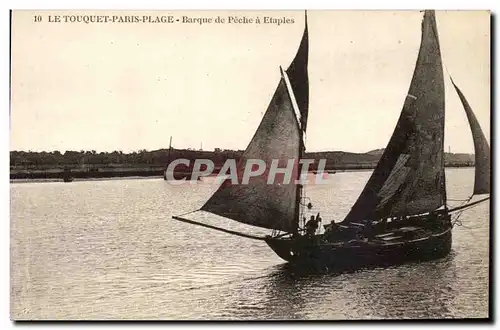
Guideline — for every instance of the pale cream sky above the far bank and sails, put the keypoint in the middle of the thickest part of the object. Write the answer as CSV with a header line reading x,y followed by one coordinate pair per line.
x,y
130,86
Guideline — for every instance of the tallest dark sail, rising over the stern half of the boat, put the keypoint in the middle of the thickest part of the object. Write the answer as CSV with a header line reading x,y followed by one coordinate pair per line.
x,y
409,178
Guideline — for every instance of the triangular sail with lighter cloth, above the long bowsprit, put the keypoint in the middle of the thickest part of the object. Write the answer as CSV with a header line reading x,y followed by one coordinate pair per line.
x,y
258,203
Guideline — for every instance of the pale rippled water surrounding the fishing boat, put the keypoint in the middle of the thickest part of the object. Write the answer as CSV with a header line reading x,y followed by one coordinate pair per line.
x,y
110,250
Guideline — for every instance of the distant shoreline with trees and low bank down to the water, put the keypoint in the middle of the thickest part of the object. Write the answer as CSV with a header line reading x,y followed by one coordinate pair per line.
x,y
93,165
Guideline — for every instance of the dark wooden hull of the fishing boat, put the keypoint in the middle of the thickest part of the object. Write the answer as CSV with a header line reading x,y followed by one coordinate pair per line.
x,y
359,254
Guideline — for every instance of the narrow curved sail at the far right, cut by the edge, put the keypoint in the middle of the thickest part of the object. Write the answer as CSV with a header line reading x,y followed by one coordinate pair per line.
x,y
481,149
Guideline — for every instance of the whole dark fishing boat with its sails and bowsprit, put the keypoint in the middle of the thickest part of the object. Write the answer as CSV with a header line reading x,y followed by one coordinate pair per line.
x,y
402,212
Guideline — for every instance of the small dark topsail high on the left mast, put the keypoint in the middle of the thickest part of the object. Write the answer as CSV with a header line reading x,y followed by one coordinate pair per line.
x,y
299,78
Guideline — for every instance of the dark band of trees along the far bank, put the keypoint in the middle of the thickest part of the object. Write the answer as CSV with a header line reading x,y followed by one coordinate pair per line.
x,y
143,158
